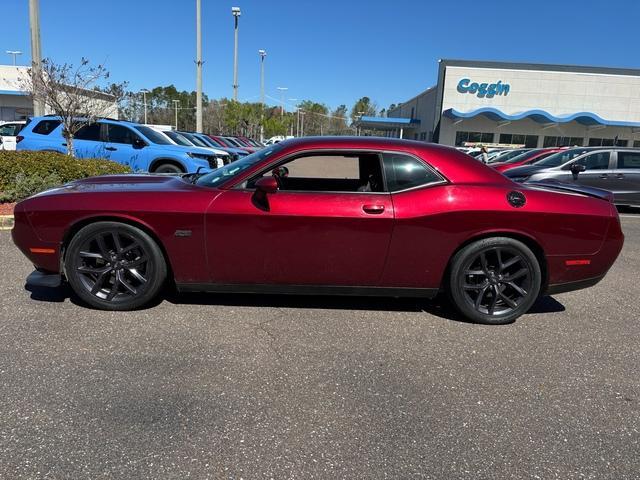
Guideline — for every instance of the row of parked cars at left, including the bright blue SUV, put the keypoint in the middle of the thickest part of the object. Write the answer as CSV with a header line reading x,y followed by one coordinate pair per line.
x,y
144,148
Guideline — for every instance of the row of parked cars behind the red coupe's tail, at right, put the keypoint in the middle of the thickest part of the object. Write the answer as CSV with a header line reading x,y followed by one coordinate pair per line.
x,y
616,169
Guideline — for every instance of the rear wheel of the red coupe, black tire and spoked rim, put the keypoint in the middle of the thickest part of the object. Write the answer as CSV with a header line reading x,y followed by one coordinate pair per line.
x,y
494,280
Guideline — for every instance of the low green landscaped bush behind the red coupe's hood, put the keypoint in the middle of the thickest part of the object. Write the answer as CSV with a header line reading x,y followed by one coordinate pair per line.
x,y
24,173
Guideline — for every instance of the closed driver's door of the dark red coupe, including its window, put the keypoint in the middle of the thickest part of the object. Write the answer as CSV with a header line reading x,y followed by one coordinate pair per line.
x,y
329,223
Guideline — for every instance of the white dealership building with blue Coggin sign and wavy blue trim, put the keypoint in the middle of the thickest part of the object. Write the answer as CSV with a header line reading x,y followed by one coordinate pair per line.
x,y
521,103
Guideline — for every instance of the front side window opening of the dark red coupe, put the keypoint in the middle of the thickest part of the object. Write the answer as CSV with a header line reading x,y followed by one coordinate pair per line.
x,y
329,172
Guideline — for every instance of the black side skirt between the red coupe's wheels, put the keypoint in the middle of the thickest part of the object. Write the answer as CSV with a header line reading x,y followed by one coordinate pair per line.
x,y
309,290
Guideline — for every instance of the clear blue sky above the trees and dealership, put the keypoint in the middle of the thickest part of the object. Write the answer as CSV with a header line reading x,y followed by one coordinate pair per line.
x,y
326,50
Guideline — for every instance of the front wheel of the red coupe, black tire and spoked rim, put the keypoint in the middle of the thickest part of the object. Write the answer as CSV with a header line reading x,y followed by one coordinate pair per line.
x,y
114,266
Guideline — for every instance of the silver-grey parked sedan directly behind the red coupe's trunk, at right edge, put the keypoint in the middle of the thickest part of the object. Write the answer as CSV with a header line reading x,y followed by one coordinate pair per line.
x,y
610,168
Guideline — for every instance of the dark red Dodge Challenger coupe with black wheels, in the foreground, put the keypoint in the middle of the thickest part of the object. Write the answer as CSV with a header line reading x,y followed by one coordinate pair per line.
x,y
361,216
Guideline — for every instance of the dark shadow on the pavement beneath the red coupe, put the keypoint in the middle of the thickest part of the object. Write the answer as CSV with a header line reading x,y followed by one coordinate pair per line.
x,y
438,306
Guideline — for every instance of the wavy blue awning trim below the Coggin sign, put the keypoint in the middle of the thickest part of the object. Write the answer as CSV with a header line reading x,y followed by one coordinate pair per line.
x,y
540,116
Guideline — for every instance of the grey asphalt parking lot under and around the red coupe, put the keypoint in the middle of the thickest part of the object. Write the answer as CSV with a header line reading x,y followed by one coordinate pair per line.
x,y
213,386
